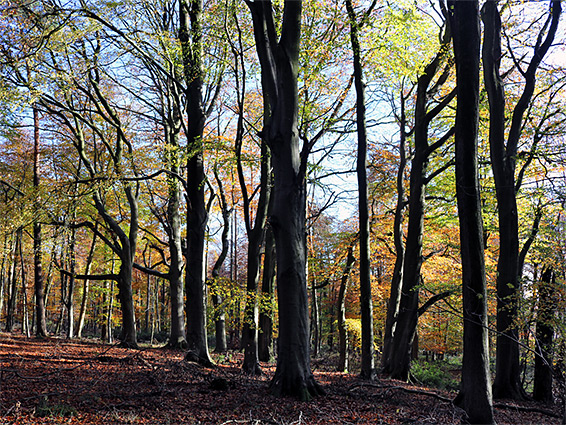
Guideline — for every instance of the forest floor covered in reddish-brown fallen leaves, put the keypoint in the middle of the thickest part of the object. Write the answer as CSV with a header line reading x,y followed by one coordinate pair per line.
x,y
83,382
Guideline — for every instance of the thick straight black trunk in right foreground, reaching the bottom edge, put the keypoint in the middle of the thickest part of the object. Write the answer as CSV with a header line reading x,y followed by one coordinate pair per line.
x,y
475,392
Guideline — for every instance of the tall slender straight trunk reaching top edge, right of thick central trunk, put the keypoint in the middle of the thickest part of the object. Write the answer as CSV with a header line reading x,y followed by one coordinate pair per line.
x,y
366,303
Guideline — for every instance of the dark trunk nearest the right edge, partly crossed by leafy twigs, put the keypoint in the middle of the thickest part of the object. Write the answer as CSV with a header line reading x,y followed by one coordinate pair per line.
x,y
542,390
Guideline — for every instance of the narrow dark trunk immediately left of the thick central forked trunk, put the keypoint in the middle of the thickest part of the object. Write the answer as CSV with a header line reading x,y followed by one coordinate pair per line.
x,y
265,340
